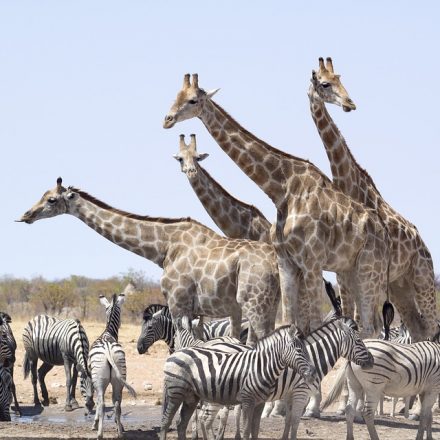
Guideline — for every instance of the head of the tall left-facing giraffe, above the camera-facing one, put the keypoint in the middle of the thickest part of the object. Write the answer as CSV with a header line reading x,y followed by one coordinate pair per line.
x,y
189,101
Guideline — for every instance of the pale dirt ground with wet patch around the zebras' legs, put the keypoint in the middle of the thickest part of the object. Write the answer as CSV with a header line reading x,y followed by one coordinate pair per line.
x,y
141,417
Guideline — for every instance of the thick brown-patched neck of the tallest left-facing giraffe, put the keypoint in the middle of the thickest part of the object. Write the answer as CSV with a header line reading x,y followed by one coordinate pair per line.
x,y
268,167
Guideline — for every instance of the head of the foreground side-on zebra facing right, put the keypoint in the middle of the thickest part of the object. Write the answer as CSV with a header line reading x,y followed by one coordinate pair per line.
x,y
296,355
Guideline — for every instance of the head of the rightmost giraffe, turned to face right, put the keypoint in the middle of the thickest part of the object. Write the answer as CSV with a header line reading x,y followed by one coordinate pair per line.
x,y
328,86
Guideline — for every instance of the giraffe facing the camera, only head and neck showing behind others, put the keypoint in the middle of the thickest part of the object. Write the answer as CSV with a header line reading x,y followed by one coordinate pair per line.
x,y
235,218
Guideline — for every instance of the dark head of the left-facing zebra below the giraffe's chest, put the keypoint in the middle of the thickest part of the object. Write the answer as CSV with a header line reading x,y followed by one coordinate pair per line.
x,y
155,326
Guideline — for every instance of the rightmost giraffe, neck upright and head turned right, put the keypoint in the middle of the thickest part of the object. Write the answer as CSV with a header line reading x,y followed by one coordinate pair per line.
x,y
411,268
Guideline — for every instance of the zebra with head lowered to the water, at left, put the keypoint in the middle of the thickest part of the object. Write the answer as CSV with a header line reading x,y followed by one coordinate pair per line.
x,y
58,342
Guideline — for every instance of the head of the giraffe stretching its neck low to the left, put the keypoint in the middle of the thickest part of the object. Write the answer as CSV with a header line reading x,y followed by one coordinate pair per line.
x,y
54,202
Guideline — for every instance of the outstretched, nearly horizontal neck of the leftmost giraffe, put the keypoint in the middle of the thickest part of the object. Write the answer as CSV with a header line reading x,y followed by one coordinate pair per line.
x,y
145,236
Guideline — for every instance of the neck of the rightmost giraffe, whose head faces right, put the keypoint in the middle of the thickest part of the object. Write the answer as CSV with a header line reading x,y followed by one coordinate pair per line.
x,y
347,174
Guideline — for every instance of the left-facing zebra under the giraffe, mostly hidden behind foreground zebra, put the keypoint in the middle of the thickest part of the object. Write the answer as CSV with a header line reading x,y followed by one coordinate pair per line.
x,y
157,325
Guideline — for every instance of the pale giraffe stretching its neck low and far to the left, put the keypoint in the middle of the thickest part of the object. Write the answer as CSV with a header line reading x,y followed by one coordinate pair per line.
x,y
203,273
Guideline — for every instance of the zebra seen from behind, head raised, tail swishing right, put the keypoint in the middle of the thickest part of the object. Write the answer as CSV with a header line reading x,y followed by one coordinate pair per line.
x,y
107,364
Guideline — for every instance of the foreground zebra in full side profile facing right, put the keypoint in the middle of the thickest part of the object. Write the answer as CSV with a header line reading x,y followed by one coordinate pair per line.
x,y
245,377
